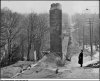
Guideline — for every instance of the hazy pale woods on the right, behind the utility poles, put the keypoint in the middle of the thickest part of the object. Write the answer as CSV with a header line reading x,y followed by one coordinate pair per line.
x,y
83,22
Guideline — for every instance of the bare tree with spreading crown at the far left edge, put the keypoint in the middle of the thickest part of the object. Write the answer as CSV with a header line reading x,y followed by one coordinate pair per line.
x,y
9,25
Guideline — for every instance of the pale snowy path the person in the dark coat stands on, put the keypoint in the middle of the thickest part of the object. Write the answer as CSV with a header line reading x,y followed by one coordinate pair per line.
x,y
80,73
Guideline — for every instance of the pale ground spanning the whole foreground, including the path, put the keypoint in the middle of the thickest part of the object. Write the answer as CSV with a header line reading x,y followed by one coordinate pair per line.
x,y
71,70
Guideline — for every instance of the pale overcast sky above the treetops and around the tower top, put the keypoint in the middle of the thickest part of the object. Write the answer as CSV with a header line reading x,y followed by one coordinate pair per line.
x,y
70,7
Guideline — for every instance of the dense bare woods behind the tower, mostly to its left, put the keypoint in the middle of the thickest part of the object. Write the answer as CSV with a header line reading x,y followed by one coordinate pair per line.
x,y
25,36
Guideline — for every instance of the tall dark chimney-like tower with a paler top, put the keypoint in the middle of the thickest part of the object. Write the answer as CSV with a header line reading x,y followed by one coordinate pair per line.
x,y
56,28
